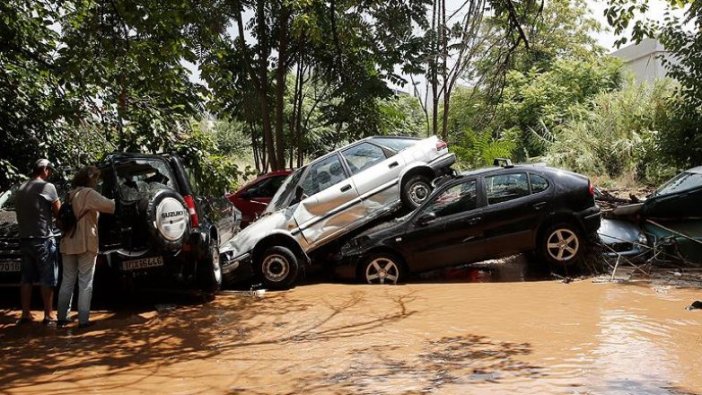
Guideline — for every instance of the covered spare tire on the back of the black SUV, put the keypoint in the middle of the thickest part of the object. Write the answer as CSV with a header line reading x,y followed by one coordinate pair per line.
x,y
167,219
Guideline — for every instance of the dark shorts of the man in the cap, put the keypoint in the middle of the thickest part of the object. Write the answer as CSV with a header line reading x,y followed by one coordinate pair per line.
x,y
39,262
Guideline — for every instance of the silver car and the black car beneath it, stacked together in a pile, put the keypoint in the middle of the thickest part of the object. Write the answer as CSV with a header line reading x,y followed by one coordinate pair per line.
x,y
382,208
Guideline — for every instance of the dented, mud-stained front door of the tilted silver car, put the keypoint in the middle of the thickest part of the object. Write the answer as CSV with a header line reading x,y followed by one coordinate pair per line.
x,y
330,205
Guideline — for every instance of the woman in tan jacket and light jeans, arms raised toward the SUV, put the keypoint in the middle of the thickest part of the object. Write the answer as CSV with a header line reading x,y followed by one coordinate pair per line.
x,y
79,248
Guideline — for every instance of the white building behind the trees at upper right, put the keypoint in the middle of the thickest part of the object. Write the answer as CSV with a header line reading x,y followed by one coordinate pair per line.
x,y
644,59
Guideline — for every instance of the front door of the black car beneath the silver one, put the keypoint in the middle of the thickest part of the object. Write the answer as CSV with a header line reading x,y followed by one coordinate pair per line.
x,y
447,230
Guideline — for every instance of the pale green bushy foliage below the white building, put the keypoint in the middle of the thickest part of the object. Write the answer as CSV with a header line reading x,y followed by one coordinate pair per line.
x,y
617,134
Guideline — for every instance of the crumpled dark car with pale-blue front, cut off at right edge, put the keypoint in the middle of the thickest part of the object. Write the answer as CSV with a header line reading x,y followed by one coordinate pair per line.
x,y
666,227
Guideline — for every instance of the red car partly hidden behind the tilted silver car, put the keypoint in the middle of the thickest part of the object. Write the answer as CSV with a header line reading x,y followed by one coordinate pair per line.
x,y
254,196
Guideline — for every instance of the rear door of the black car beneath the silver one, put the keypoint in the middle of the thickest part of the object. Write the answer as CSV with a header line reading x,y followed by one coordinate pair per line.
x,y
513,213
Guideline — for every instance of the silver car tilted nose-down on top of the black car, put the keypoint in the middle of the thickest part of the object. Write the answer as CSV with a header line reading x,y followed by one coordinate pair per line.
x,y
333,196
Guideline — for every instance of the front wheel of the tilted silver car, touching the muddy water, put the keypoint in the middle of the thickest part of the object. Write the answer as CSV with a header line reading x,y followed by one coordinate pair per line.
x,y
277,268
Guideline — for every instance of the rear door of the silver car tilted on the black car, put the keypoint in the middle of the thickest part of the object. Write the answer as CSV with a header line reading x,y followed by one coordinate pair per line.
x,y
374,172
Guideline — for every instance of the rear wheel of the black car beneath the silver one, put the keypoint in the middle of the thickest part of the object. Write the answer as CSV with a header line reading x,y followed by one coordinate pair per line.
x,y
562,245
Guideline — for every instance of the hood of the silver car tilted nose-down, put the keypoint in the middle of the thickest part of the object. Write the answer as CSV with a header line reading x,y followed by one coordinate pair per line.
x,y
246,239
